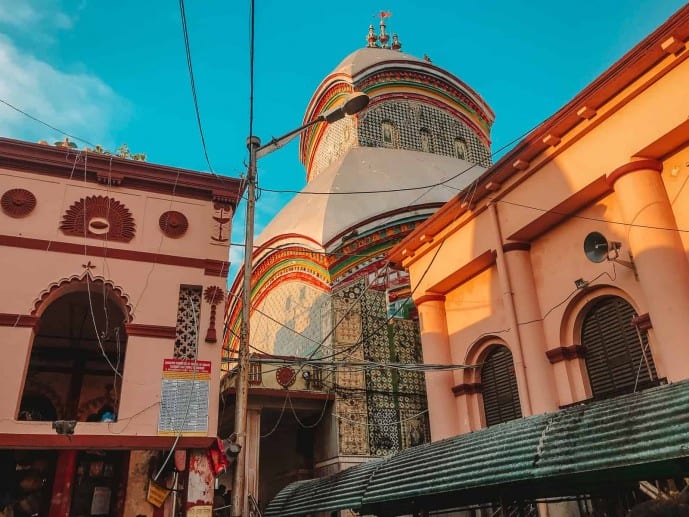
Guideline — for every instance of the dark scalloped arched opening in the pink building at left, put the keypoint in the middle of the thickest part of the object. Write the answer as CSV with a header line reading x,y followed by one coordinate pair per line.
x,y
77,357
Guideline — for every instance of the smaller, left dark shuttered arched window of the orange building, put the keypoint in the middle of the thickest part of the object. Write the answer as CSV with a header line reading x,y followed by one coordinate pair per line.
x,y
499,387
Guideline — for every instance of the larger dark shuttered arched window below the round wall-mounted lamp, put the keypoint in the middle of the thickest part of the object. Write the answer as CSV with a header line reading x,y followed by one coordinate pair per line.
x,y
618,359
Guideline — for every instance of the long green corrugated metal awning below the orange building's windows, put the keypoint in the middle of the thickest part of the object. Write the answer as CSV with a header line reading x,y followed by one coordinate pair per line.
x,y
633,436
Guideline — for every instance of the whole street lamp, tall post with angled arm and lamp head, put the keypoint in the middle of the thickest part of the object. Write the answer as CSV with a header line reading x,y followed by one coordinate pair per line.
x,y
354,103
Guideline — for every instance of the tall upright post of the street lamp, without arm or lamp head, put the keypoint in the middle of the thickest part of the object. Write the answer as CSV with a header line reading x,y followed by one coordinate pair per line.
x,y
242,386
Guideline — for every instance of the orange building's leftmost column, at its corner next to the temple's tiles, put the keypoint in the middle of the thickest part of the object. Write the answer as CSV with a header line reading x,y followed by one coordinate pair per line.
x,y
435,342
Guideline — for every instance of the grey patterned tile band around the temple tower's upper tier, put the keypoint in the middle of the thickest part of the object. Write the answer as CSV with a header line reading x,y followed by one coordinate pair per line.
x,y
419,127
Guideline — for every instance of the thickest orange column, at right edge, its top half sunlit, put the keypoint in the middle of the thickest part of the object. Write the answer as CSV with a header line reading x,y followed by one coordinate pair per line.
x,y
660,260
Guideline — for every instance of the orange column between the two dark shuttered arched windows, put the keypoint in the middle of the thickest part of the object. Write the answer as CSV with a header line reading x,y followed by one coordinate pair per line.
x,y
539,372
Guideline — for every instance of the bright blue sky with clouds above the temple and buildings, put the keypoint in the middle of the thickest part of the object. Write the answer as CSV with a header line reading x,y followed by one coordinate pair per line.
x,y
115,72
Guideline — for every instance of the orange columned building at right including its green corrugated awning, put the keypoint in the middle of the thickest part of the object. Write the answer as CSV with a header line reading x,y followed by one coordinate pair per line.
x,y
557,288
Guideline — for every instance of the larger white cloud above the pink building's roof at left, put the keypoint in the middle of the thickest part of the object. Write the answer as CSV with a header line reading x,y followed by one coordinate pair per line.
x,y
78,103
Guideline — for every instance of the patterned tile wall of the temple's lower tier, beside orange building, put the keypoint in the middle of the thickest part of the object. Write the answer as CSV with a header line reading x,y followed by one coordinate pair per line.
x,y
390,404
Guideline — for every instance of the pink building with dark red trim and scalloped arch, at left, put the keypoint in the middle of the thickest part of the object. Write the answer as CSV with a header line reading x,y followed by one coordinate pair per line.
x,y
111,272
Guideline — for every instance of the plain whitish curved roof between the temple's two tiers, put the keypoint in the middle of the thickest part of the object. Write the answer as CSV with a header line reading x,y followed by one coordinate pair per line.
x,y
322,217
